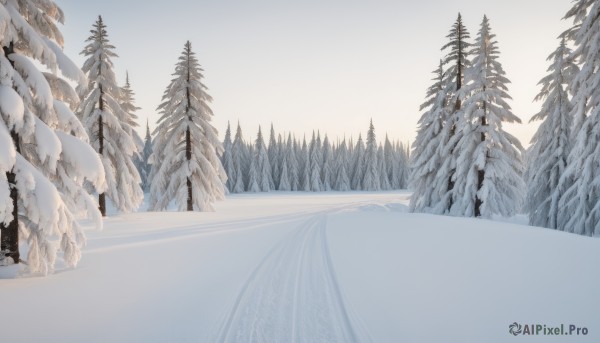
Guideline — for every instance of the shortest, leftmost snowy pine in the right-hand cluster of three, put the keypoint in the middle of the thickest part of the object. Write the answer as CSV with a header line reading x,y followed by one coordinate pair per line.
x,y
428,150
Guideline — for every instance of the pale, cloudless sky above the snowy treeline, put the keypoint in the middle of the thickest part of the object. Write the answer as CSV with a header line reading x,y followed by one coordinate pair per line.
x,y
315,64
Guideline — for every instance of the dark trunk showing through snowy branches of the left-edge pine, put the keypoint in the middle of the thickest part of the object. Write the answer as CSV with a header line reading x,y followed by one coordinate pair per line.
x,y
9,234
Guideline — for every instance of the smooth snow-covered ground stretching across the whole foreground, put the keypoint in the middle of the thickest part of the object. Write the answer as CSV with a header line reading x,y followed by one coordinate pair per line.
x,y
334,267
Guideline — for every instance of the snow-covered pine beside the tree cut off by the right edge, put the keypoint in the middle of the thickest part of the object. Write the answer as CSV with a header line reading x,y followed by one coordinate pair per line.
x,y
548,154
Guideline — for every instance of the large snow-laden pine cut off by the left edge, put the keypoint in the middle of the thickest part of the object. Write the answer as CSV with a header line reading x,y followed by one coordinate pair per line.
x,y
44,157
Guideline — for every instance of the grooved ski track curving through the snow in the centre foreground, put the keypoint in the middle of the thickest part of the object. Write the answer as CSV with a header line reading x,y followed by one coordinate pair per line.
x,y
293,295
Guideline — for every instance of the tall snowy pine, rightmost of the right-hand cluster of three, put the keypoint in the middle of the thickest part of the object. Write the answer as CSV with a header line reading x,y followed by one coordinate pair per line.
x,y
489,167
